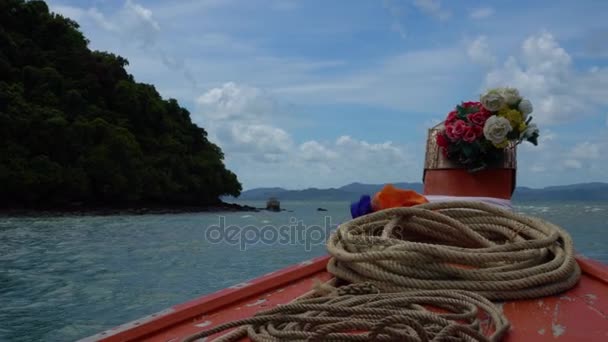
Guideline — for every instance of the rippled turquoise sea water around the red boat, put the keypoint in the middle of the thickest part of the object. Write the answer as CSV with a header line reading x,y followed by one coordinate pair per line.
x,y
64,278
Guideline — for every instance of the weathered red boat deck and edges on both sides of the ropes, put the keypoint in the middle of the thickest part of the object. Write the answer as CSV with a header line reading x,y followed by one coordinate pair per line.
x,y
580,314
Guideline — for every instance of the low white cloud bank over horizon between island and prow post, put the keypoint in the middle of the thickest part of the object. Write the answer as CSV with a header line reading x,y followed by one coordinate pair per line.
x,y
323,164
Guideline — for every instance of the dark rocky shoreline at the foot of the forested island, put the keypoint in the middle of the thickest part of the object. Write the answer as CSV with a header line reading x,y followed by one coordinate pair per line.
x,y
85,210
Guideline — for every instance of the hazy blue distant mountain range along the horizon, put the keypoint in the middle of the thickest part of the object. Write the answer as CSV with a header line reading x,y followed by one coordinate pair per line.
x,y
351,192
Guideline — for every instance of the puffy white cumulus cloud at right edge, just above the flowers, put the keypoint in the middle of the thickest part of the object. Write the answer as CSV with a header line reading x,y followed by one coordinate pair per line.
x,y
543,71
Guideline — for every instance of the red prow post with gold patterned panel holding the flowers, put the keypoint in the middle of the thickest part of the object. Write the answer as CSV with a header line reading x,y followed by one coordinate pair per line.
x,y
445,177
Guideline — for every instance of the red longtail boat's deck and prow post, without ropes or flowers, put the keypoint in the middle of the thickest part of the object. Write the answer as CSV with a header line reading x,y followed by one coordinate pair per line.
x,y
579,314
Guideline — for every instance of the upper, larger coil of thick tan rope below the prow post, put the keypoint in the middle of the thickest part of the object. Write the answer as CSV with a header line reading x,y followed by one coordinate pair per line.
x,y
455,246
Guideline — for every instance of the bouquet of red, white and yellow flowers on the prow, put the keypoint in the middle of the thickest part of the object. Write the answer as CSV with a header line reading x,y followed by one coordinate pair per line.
x,y
475,134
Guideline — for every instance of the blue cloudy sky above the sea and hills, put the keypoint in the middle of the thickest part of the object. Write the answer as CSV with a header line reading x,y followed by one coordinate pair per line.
x,y
314,93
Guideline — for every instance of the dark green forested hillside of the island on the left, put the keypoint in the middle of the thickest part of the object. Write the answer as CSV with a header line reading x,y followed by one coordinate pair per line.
x,y
76,128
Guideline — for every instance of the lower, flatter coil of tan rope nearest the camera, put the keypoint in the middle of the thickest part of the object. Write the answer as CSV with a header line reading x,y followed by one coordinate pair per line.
x,y
408,316
